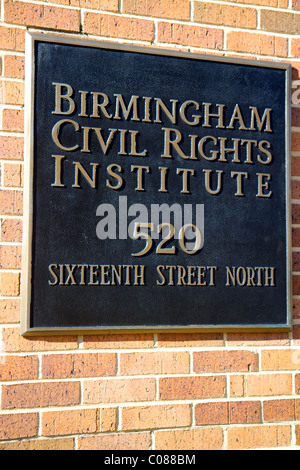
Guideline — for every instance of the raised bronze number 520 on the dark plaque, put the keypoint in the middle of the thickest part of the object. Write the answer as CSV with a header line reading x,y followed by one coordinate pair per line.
x,y
161,249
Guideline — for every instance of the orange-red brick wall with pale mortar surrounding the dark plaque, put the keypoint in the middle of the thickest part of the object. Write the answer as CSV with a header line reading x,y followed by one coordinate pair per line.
x,y
147,391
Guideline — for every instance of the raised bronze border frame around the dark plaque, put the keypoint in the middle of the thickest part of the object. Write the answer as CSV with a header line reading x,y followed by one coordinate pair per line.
x,y
26,329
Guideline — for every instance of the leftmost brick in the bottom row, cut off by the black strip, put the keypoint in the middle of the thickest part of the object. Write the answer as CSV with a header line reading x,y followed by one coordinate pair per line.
x,y
35,444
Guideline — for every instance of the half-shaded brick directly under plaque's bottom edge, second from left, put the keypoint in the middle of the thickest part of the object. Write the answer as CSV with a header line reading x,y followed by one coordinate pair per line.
x,y
128,341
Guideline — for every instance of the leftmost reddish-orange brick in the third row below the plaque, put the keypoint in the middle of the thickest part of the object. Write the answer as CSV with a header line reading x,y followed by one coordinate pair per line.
x,y
36,395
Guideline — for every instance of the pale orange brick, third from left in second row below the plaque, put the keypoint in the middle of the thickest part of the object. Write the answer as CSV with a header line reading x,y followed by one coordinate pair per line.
x,y
154,363
